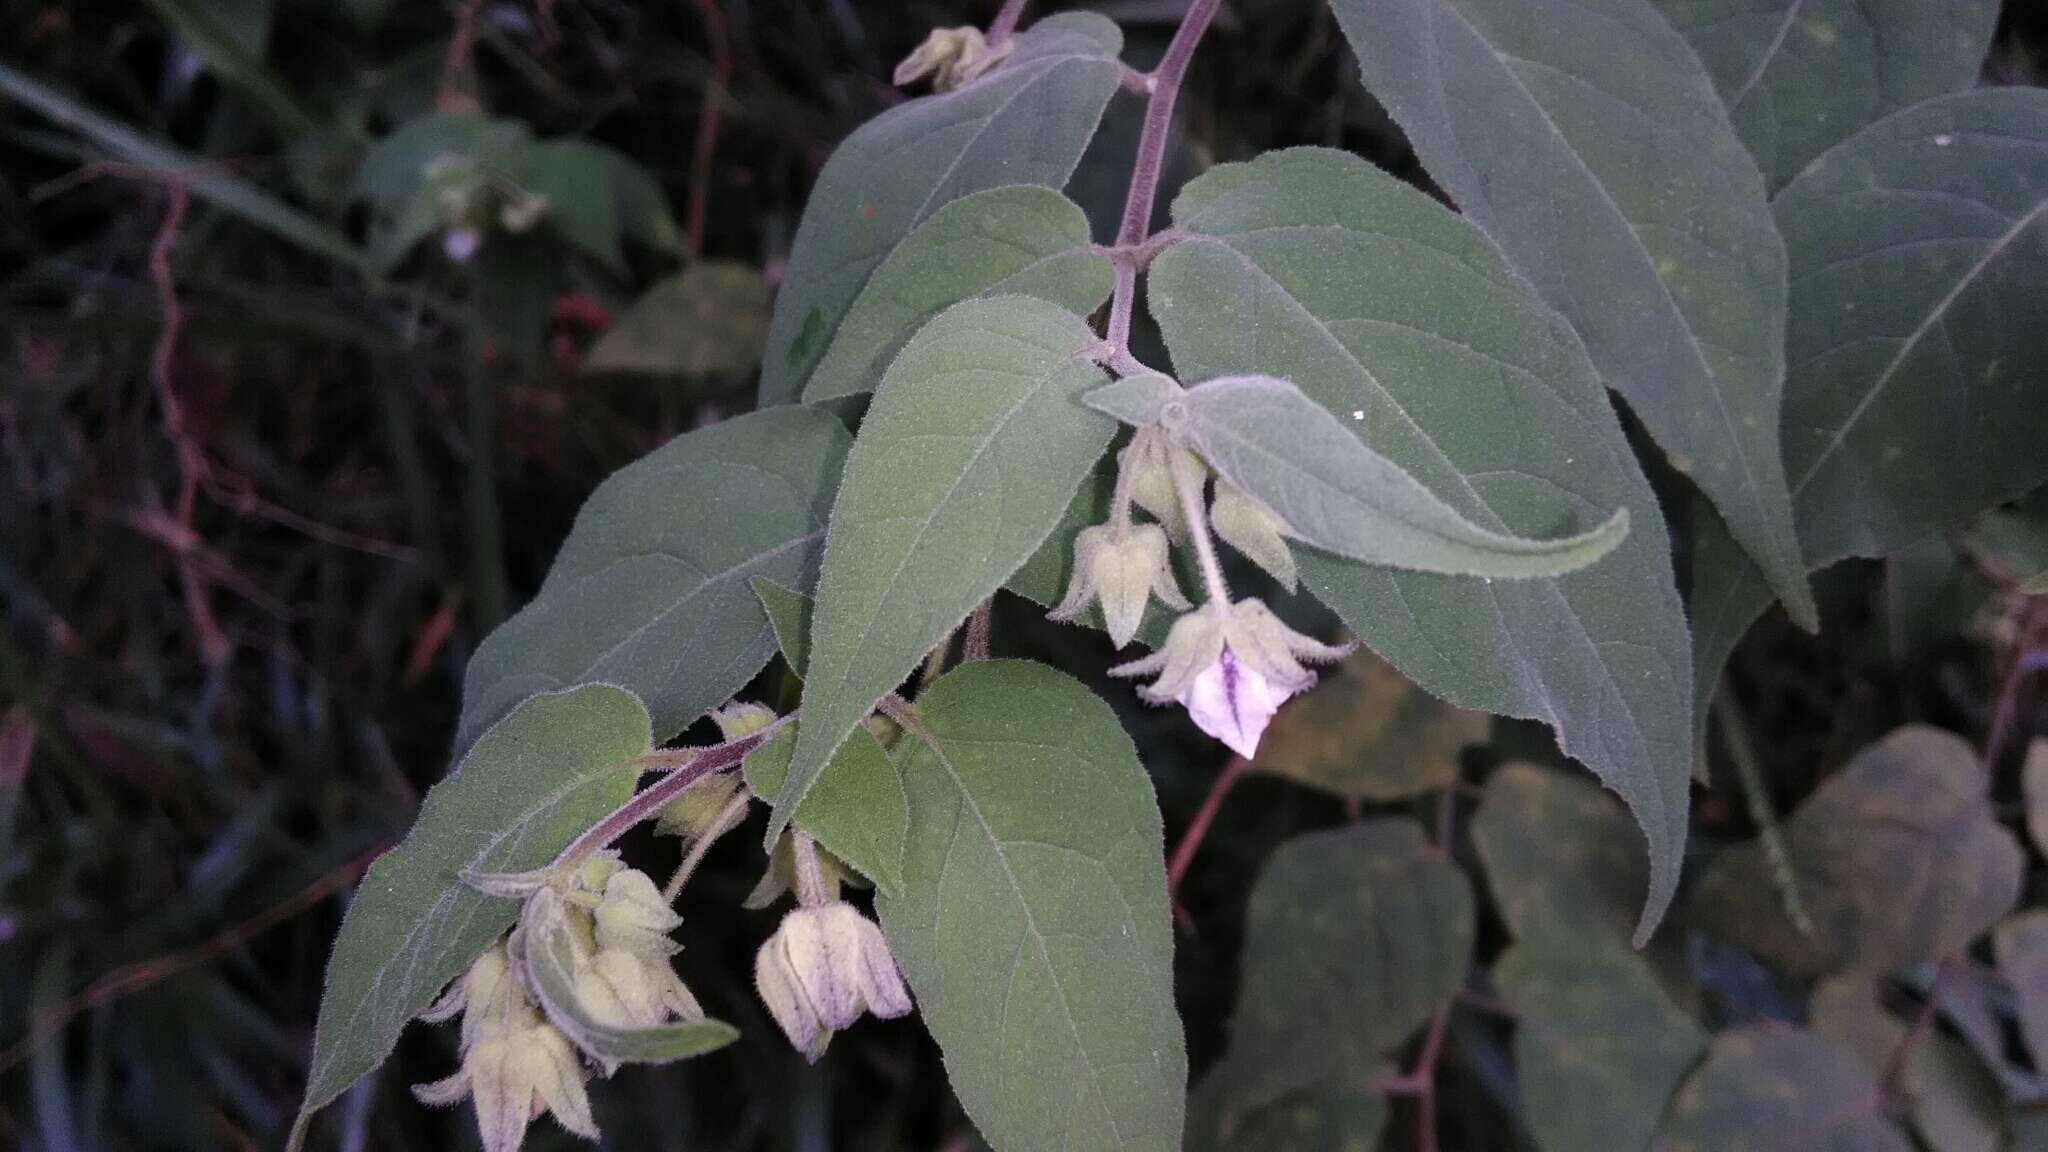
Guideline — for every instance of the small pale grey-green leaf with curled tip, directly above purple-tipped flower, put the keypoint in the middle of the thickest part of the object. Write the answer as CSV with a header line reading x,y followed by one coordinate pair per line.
x,y
1334,493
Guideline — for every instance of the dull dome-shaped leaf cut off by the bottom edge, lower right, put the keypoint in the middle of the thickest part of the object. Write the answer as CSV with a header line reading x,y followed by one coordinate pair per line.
x,y
1768,1083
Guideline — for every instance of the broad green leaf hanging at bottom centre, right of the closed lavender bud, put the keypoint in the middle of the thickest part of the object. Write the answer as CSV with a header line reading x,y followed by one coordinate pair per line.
x,y
1033,923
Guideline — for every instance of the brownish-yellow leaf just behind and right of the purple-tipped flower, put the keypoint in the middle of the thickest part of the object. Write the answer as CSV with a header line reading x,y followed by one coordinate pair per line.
x,y
1369,733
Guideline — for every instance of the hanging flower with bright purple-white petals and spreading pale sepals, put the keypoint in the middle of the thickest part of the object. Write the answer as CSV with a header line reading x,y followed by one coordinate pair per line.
x,y
1232,665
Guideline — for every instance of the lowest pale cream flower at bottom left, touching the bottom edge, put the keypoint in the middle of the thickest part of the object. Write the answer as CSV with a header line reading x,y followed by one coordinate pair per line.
x,y
515,1063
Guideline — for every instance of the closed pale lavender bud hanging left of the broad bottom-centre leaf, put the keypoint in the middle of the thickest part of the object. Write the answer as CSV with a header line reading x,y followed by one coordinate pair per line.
x,y
822,969
